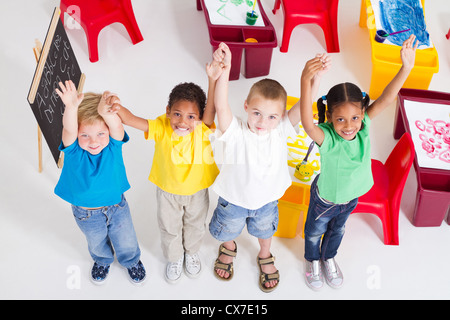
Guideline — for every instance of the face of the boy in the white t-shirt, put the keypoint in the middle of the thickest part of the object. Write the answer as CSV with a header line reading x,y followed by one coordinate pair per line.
x,y
263,114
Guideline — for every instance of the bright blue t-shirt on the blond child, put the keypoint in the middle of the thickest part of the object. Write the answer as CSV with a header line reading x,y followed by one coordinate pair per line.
x,y
92,181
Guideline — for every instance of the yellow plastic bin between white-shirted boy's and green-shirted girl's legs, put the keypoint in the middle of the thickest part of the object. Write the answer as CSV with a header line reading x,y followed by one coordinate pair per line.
x,y
294,203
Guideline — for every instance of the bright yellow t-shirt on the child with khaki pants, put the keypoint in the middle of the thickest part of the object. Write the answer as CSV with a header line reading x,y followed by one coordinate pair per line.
x,y
181,165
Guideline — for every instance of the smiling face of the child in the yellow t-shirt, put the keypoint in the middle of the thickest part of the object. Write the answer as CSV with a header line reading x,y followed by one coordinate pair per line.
x,y
184,116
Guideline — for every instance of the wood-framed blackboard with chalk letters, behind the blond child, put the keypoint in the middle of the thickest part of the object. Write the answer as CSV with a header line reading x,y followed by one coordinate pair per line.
x,y
57,63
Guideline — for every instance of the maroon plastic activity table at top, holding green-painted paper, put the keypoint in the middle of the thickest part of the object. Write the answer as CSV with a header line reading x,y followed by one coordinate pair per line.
x,y
241,37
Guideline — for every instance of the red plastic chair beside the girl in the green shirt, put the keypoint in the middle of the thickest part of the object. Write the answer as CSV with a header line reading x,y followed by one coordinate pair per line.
x,y
385,196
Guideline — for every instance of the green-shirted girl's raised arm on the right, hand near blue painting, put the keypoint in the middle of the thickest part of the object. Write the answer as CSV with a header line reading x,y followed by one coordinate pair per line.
x,y
408,55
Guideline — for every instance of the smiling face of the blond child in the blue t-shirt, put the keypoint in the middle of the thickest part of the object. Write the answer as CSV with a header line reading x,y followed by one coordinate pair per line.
x,y
93,137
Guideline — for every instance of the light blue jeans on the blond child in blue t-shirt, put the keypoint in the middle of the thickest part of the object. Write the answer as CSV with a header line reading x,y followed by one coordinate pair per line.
x,y
107,228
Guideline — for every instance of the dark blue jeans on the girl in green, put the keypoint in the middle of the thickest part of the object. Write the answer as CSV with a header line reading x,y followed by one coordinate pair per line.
x,y
327,219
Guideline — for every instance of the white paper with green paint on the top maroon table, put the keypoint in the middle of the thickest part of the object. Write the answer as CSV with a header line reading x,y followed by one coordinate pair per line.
x,y
231,12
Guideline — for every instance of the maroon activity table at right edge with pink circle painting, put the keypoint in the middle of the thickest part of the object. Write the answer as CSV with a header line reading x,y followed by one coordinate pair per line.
x,y
433,180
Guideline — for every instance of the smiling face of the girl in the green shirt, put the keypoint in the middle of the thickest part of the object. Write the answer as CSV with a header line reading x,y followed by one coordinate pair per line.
x,y
347,120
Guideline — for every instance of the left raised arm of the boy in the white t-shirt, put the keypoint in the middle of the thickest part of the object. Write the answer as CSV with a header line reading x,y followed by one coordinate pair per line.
x,y
224,114
